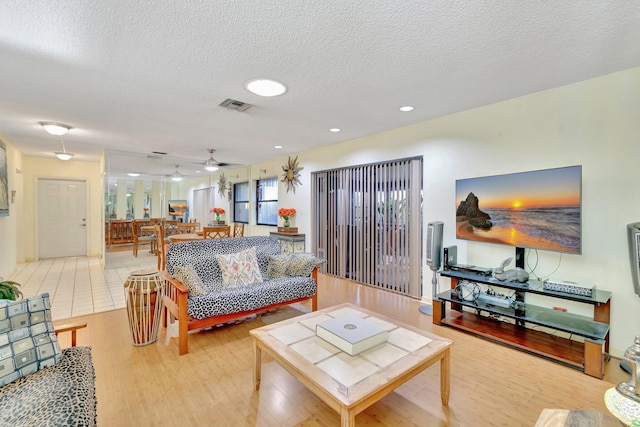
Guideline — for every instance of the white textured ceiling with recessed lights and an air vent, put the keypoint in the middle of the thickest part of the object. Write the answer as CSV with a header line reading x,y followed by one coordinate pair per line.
x,y
143,76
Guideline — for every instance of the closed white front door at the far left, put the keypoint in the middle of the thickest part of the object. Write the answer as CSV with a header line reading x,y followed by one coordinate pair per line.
x,y
62,218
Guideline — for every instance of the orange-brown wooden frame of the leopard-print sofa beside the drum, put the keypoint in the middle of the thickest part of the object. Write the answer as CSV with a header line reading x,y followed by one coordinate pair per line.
x,y
174,307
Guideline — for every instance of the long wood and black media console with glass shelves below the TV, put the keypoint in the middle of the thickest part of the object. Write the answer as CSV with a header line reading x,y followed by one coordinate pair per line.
x,y
484,320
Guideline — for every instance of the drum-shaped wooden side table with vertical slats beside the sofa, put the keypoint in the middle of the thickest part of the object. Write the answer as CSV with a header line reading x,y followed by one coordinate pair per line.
x,y
144,290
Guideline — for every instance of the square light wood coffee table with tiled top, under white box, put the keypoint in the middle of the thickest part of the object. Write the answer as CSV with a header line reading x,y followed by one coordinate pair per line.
x,y
350,384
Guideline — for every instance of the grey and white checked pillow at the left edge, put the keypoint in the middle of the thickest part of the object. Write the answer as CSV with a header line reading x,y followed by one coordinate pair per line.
x,y
28,341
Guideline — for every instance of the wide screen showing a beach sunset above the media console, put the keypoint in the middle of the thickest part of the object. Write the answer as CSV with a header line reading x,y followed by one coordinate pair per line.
x,y
537,209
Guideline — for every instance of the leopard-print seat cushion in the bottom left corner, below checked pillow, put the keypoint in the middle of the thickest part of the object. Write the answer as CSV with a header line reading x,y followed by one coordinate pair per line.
x,y
60,395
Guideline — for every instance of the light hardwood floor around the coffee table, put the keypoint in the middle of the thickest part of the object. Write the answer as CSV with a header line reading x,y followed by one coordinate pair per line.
x,y
491,385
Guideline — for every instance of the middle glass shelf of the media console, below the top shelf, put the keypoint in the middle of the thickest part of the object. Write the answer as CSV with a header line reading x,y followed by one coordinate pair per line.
x,y
562,321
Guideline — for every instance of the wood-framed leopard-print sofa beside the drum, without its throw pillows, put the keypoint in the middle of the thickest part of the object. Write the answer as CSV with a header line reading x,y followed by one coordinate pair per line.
x,y
221,304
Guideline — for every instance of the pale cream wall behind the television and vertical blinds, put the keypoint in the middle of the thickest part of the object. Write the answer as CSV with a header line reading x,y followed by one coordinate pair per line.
x,y
594,123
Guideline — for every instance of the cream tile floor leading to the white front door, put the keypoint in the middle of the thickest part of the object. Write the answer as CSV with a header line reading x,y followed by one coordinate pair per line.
x,y
79,285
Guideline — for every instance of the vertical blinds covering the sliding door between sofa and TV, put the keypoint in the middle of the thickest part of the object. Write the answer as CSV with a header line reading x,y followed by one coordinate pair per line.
x,y
368,223
